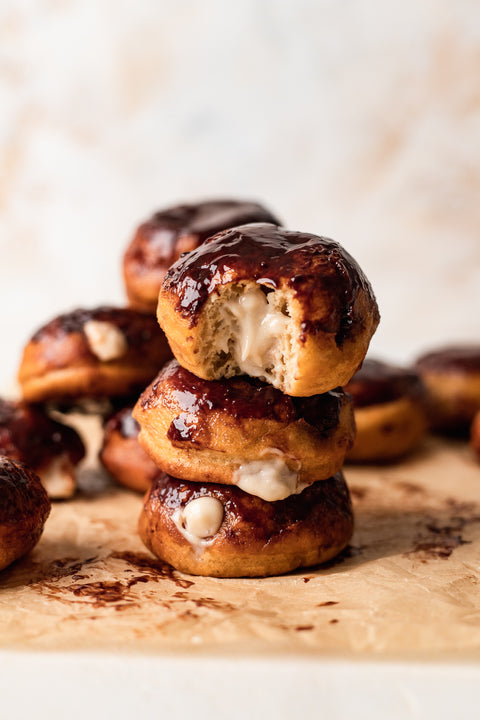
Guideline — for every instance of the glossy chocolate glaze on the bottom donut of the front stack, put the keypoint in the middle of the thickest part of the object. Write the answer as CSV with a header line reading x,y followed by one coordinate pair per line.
x,y
263,520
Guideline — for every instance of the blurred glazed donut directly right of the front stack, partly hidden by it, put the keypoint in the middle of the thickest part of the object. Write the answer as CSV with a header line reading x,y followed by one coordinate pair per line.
x,y
389,409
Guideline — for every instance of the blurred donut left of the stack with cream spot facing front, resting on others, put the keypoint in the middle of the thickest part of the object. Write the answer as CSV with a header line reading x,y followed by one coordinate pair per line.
x,y
96,353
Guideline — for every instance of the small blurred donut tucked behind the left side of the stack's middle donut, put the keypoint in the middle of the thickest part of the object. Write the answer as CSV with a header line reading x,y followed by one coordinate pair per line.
x,y
121,454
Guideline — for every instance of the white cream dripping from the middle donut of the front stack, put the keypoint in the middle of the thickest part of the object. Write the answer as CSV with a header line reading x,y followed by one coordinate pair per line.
x,y
270,479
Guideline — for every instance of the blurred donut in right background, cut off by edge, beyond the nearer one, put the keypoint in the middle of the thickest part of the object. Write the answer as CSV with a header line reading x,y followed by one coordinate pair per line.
x,y
452,378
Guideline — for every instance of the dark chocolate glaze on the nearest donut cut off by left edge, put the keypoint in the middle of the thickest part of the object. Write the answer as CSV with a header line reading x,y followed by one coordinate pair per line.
x,y
22,496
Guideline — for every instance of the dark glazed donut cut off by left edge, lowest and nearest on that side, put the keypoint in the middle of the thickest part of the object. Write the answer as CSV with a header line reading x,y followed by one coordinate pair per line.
x,y
24,509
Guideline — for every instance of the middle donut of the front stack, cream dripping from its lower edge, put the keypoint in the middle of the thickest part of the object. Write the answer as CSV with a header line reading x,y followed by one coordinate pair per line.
x,y
243,431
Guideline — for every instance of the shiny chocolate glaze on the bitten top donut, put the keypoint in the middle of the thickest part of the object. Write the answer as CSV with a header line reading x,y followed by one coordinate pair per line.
x,y
274,257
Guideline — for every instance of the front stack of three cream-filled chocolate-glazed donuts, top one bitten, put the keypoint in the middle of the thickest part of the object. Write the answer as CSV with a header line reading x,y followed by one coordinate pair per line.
x,y
248,422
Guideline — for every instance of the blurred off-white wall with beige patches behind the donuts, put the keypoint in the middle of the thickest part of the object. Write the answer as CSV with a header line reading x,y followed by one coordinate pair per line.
x,y
357,120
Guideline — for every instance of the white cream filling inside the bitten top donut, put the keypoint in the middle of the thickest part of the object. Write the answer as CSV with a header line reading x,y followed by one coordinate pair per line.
x,y
255,327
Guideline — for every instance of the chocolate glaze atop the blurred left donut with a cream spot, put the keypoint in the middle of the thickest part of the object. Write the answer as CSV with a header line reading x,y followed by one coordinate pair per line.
x,y
139,329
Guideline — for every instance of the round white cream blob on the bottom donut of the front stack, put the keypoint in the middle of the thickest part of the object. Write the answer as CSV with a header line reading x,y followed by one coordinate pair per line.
x,y
200,520
